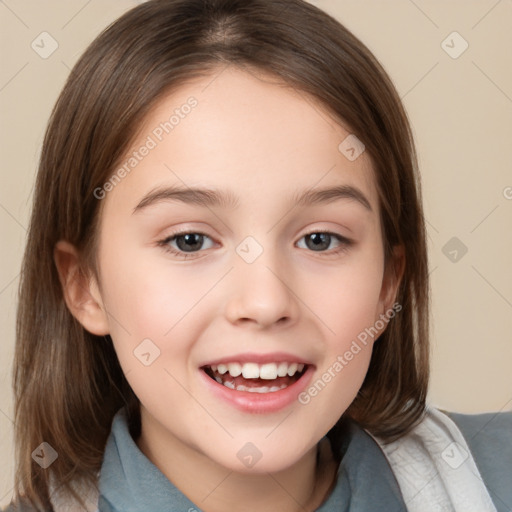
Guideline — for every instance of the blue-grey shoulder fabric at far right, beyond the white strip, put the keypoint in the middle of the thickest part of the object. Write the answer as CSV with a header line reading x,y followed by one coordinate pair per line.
x,y
489,438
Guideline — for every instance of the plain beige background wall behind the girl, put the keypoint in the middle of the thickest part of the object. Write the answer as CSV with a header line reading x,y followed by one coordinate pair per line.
x,y
461,112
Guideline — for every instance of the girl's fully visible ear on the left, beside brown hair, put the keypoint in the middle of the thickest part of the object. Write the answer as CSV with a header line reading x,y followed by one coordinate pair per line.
x,y
81,292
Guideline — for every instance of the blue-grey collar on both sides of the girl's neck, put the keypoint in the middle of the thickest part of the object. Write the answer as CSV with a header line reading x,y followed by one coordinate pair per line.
x,y
130,482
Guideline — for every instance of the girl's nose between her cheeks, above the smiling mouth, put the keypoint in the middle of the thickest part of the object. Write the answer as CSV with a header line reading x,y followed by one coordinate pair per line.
x,y
261,293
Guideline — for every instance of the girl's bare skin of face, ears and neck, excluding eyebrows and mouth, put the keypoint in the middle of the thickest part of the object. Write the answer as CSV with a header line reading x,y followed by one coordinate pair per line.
x,y
263,141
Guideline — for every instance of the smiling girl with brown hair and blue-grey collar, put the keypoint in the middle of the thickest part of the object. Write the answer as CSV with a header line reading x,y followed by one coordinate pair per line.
x,y
224,301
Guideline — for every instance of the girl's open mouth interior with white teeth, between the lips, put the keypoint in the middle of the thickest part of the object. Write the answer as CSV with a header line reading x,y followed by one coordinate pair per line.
x,y
254,377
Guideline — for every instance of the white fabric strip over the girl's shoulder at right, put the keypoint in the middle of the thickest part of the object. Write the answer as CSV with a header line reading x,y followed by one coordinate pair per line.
x,y
435,469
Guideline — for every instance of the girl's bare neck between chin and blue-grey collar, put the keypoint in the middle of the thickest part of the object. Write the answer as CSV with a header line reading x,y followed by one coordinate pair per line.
x,y
300,488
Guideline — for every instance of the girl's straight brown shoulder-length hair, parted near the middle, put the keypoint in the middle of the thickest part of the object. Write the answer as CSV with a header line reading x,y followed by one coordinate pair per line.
x,y
147,53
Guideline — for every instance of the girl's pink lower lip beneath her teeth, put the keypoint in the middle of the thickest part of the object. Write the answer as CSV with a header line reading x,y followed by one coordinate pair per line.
x,y
259,403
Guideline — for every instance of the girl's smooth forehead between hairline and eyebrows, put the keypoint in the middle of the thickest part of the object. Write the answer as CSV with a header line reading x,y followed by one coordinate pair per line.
x,y
245,132
